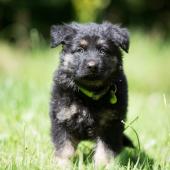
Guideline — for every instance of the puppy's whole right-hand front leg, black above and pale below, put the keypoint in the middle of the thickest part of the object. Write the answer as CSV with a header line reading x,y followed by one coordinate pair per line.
x,y
109,144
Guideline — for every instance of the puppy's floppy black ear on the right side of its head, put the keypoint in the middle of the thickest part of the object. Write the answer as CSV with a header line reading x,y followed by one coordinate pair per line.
x,y
120,36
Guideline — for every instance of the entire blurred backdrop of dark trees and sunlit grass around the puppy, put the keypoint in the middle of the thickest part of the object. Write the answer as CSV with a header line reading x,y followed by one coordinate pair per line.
x,y
27,64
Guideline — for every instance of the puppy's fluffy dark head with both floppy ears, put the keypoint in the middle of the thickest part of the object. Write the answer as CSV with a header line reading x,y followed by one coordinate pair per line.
x,y
91,52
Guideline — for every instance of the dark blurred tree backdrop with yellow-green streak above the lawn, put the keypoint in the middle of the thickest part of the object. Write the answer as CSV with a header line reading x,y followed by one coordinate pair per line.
x,y
20,18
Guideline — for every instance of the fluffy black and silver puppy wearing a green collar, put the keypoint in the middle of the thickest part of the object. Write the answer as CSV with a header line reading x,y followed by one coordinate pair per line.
x,y
89,96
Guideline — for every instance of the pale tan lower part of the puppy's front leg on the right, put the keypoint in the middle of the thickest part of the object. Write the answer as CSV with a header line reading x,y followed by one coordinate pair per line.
x,y
103,154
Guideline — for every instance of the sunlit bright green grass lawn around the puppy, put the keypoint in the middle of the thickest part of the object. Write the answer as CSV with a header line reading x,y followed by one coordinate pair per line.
x,y
25,83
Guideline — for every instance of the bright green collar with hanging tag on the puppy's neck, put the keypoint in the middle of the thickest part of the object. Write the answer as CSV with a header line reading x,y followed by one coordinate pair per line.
x,y
97,96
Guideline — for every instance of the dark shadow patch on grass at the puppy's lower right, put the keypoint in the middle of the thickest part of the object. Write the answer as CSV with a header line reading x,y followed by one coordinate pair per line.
x,y
135,158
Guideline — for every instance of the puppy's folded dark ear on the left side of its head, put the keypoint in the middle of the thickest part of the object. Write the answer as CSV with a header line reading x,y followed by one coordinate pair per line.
x,y
60,34
